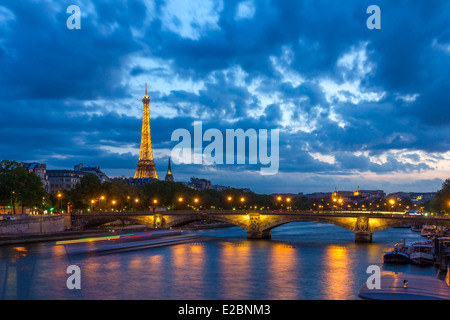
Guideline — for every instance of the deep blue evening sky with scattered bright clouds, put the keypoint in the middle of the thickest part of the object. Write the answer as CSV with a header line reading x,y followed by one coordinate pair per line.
x,y
355,107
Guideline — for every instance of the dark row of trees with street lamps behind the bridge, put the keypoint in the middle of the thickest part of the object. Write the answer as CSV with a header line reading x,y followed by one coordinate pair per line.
x,y
19,187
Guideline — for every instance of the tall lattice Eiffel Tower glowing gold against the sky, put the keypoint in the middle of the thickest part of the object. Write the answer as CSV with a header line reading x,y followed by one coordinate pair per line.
x,y
146,167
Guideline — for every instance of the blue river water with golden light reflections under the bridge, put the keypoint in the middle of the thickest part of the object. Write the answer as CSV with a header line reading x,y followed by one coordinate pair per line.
x,y
307,261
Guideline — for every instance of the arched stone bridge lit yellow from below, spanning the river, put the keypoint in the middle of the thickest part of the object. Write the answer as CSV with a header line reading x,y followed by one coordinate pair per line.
x,y
260,225
